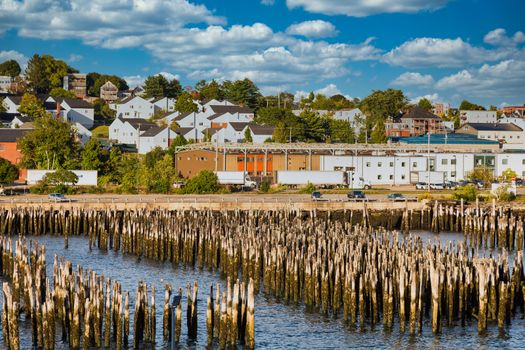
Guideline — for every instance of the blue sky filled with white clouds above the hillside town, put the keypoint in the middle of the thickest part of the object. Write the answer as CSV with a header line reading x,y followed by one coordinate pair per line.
x,y
446,50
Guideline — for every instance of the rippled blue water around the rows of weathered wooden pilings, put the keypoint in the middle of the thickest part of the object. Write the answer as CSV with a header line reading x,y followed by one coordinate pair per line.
x,y
277,326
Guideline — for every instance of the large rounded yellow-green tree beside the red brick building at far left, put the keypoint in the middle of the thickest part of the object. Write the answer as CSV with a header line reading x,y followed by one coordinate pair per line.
x,y
50,145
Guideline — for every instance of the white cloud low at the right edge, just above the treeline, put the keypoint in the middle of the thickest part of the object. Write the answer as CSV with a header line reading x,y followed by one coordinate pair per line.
x,y
504,80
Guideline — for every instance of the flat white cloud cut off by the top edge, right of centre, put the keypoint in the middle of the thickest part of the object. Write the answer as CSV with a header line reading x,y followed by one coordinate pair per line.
x,y
363,8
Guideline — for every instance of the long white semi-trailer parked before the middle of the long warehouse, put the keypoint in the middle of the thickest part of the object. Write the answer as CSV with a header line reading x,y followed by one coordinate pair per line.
x,y
317,178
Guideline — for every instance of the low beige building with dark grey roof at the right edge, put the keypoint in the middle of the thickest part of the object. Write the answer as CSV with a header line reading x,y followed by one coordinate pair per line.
x,y
503,133
